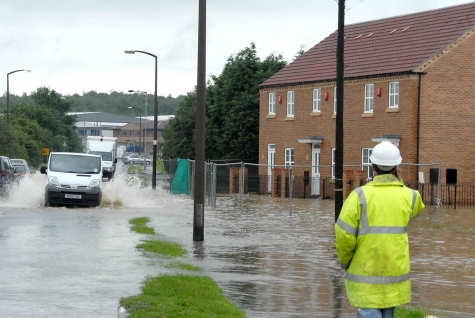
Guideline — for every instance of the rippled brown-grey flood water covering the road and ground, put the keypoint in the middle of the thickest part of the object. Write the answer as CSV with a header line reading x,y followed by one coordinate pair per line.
x,y
79,262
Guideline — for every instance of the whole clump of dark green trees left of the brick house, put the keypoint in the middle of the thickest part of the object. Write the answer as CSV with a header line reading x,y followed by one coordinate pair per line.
x,y
232,114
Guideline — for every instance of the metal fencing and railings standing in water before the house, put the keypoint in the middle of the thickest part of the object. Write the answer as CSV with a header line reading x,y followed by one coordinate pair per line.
x,y
239,179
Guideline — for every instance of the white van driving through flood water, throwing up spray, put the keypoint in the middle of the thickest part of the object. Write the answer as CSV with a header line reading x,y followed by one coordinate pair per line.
x,y
73,179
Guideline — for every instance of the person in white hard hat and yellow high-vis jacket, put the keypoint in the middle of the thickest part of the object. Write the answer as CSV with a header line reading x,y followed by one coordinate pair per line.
x,y
371,237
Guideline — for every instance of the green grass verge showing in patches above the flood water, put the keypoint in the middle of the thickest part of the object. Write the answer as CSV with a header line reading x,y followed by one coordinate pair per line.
x,y
176,295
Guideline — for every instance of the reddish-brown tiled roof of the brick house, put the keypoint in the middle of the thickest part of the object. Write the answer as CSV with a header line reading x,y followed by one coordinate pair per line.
x,y
381,47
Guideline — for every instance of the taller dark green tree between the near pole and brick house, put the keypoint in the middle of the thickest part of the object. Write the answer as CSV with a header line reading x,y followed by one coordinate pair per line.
x,y
232,118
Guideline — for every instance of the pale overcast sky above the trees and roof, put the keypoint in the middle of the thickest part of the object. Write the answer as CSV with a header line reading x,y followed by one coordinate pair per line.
x,y
76,46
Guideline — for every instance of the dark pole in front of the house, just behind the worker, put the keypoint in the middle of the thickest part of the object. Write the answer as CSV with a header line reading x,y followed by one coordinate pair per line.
x,y
339,109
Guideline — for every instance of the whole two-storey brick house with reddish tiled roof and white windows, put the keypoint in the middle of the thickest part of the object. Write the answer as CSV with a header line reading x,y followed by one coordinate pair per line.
x,y
408,79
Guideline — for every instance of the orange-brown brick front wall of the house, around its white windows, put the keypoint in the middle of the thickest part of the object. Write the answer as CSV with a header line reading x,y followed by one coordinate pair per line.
x,y
358,130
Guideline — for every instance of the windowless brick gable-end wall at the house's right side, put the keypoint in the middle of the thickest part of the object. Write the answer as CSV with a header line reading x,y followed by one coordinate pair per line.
x,y
448,112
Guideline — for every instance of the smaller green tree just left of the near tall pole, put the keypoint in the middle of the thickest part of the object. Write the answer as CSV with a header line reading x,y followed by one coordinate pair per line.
x,y
179,134
